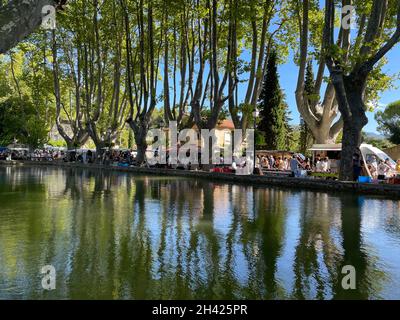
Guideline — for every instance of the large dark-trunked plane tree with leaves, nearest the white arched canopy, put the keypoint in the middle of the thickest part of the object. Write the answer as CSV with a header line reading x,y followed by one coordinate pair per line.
x,y
353,63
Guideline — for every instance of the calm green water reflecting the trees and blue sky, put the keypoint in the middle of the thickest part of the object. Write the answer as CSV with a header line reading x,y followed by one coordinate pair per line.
x,y
122,236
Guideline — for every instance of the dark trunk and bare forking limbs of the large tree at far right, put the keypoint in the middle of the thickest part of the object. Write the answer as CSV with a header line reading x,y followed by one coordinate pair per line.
x,y
350,86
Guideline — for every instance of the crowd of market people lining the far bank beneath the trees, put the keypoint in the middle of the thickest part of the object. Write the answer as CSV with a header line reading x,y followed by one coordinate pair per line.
x,y
296,164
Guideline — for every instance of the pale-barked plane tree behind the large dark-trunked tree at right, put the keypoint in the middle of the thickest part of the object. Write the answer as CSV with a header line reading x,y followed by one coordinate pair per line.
x,y
320,108
